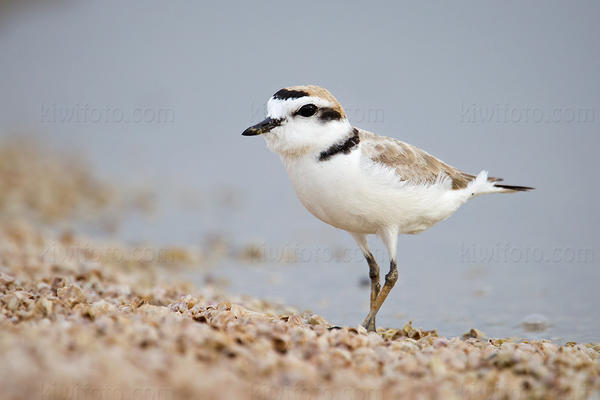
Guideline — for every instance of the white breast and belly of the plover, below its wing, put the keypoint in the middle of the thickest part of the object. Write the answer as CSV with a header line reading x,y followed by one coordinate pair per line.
x,y
363,198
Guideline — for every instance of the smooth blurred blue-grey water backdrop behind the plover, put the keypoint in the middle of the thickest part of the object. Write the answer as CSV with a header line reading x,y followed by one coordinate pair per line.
x,y
155,95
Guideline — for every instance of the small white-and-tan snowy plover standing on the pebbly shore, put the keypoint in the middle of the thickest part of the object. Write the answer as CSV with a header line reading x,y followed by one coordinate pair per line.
x,y
361,182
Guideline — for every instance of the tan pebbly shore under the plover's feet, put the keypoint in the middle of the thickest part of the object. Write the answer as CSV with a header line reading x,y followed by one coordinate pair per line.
x,y
81,319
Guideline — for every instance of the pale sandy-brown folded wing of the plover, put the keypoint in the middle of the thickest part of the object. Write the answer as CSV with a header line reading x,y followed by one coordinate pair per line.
x,y
411,163
